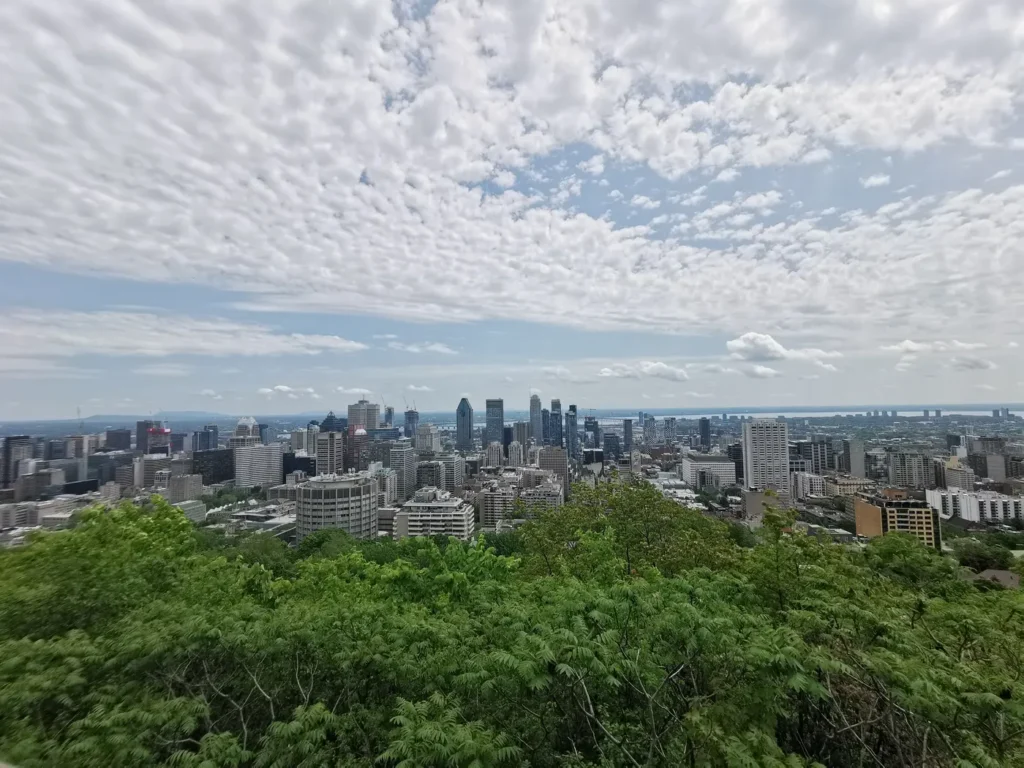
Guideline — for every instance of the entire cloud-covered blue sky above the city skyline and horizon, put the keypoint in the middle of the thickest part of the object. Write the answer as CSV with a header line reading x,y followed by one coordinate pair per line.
x,y
279,207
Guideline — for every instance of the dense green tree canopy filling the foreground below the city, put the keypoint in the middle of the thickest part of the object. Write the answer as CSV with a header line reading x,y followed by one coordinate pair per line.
x,y
620,631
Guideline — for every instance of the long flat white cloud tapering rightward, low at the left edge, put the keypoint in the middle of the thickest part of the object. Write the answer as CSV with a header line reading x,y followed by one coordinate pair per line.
x,y
60,334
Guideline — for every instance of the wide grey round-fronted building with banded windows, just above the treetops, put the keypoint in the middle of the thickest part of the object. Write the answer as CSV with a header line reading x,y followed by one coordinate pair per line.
x,y
346,502
